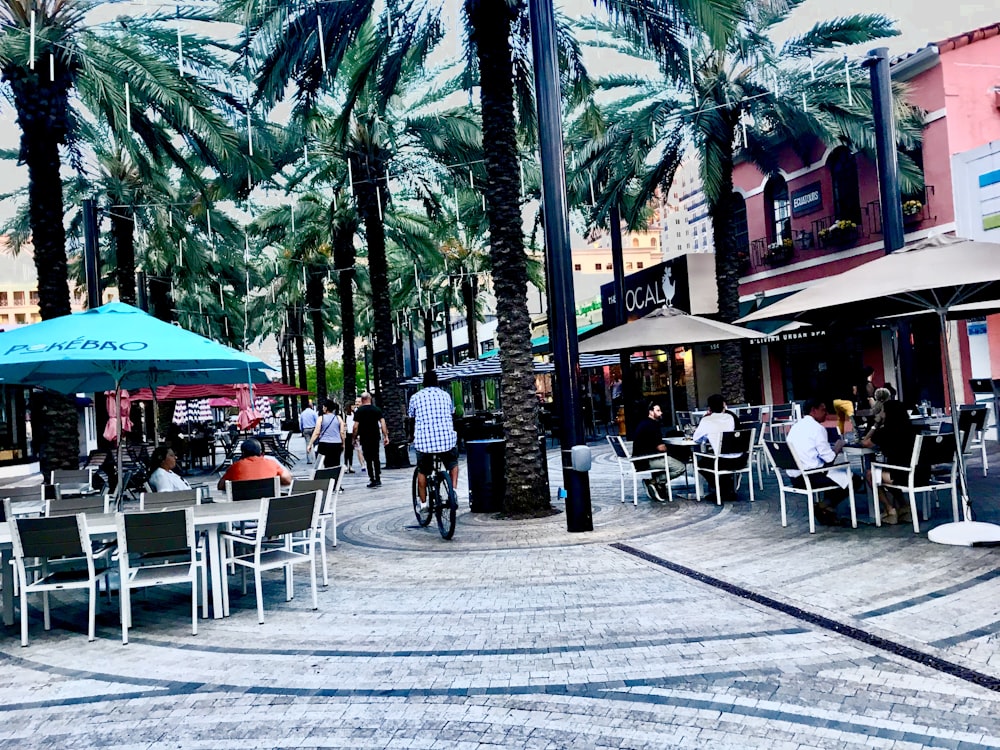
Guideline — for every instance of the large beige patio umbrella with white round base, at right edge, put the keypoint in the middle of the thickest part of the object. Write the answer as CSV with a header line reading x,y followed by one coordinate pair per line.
x,y
942,275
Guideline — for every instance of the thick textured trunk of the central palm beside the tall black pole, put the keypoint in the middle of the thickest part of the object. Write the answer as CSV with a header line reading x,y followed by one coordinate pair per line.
x,y
491,29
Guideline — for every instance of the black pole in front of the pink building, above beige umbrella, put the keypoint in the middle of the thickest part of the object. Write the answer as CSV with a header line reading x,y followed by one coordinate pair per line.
x,y
877,63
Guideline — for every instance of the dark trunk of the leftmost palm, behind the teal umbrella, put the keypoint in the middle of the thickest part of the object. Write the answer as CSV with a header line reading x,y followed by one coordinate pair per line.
x,y
43,115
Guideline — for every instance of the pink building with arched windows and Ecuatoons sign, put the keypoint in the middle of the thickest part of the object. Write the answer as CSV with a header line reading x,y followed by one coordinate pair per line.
x,y
821,216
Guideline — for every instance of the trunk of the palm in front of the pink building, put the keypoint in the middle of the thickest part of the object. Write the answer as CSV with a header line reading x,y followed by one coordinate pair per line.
x,y
727,273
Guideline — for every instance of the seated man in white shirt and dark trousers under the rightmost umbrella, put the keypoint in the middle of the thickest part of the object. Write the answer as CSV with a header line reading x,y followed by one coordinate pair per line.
x,y
809,441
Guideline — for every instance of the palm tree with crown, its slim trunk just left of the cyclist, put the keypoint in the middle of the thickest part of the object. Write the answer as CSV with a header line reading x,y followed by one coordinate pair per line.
x,y
384,58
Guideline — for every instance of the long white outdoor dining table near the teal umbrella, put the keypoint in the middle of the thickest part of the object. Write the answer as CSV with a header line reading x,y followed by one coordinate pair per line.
x,y
209,517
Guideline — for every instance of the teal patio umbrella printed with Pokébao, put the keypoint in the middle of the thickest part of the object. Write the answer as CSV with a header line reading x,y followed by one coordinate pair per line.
x,y
118,346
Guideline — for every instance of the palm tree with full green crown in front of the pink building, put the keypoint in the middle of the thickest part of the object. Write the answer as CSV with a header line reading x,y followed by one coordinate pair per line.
x,y
741,96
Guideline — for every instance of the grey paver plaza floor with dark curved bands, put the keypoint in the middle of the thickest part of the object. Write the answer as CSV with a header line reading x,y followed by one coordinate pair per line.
x,y
519,634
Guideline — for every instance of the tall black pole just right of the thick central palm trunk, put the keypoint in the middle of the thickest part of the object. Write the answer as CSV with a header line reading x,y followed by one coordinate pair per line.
x,y
562,331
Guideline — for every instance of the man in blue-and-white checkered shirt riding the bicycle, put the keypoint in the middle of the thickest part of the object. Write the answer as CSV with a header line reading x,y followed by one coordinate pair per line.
x,y
433,434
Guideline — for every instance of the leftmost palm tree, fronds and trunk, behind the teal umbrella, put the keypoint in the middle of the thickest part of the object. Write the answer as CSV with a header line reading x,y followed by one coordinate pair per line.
x,y
47,54
